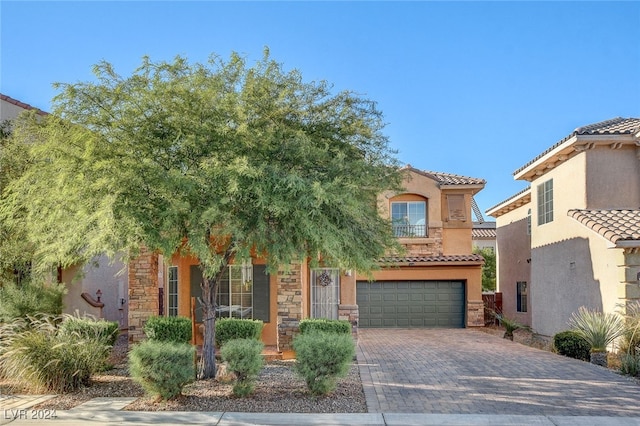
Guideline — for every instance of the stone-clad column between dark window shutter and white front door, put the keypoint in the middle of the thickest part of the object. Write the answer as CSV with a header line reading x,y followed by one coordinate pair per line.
x,y
289,306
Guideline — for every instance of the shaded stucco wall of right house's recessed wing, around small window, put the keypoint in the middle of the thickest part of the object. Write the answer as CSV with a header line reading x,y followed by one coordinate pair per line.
x,y
514,261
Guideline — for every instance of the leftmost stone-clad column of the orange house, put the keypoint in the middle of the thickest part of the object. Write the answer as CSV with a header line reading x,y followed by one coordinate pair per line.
x,y
143,292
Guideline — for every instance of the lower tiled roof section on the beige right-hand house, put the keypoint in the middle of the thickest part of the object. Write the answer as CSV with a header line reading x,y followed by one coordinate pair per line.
x,y
614,225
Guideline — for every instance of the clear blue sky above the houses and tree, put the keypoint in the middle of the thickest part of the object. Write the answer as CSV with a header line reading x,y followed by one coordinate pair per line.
x,y
473,88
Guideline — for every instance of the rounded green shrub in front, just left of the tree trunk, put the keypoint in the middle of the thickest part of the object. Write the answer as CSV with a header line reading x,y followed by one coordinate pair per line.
x,y
162,368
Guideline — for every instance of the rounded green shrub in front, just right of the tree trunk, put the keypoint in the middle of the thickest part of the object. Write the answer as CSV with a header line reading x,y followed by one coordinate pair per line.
x,y
244,357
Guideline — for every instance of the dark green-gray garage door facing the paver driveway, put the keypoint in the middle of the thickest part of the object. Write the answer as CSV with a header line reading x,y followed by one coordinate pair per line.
x,y
411,304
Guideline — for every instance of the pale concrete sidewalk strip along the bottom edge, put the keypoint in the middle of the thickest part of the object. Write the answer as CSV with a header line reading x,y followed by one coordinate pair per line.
x,y
166,418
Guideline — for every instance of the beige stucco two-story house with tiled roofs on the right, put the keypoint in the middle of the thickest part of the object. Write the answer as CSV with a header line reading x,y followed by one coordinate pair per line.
x,y
572,238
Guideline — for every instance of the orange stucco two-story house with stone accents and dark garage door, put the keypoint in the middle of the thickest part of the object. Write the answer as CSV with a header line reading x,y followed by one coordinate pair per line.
x,y
436,283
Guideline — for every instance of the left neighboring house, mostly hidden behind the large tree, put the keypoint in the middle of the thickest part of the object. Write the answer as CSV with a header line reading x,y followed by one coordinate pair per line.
x,y
100,279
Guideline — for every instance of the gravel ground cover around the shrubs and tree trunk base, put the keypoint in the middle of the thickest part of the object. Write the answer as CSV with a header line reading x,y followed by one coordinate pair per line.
x,y
278,390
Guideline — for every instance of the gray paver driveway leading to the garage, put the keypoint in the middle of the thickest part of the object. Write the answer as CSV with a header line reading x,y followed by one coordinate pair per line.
x,y
463,371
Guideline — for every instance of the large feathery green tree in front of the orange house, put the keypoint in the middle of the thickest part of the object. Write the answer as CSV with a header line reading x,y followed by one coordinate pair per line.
x,y
215,159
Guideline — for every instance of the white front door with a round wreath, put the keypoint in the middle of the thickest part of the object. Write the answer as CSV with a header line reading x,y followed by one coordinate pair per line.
x,y
325,293
